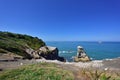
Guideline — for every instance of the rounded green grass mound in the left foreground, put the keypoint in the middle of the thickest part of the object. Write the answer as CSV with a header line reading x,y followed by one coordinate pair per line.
x,y
40,71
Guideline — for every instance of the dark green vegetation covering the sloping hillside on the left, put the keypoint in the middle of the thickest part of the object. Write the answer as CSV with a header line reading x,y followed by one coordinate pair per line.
x,y
17,43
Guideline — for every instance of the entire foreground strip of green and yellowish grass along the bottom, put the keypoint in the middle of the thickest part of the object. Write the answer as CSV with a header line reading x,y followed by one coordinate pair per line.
x,y
51,71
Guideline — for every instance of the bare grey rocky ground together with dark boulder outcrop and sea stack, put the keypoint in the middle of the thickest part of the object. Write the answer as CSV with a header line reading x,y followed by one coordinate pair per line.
x,y
50,54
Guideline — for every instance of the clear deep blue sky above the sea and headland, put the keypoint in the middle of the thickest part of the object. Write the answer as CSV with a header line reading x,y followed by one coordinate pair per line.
x,y
62,20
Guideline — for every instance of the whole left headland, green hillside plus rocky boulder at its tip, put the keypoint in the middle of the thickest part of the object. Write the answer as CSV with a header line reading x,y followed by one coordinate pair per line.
x,y
14,46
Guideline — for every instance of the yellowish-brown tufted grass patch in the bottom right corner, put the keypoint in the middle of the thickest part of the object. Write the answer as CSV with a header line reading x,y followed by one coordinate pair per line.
x,y
98,75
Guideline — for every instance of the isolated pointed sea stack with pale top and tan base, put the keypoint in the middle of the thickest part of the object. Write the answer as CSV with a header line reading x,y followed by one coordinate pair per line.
x,y
81,55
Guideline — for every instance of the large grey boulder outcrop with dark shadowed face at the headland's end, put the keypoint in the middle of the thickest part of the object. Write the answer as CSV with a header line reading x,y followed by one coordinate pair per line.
x,y
47,52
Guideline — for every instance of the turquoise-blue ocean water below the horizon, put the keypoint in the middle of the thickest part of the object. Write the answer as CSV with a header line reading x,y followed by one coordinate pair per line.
x,y
95,50
